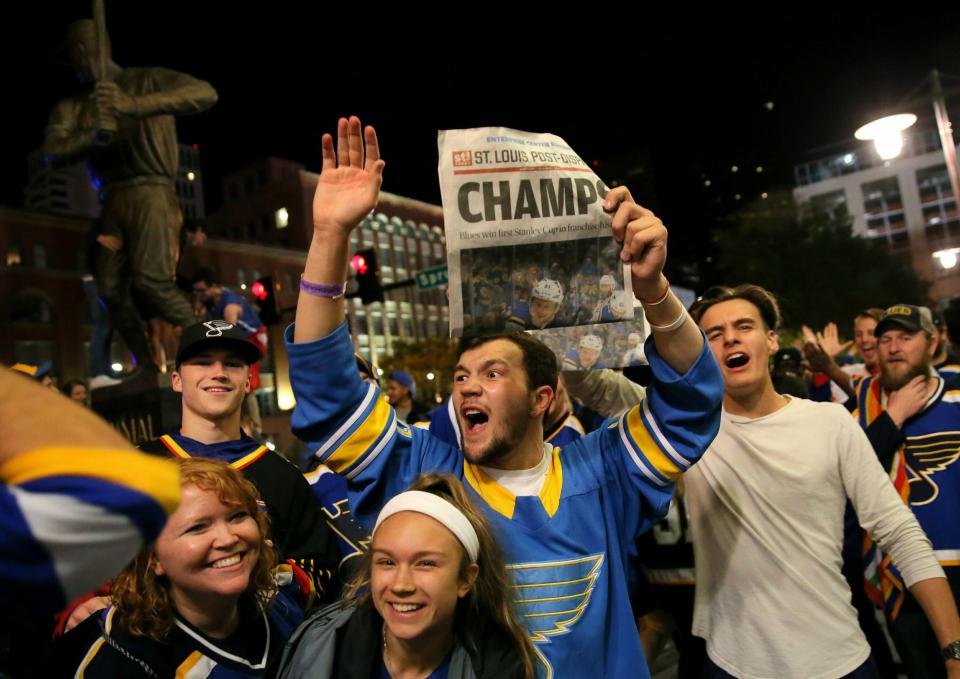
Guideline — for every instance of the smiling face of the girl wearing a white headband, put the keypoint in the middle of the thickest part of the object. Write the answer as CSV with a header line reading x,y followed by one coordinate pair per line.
x,y
418,577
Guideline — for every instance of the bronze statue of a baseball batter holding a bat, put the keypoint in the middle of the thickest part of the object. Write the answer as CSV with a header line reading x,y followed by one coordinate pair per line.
x,y
125,128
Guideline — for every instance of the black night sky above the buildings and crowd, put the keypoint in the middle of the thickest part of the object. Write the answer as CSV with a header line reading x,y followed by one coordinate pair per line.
x,y
683,96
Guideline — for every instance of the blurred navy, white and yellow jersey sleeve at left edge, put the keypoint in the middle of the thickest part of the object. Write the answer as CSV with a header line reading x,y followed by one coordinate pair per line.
x,y
72,516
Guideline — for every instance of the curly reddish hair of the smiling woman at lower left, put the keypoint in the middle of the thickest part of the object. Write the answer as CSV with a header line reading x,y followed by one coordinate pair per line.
x,y
143,598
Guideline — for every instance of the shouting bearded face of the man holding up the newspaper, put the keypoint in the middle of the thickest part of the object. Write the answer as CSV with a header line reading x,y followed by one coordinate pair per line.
x,y
492,400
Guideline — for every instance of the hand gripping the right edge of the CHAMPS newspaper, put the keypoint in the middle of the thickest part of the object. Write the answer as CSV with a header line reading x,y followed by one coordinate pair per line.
x,y
644,240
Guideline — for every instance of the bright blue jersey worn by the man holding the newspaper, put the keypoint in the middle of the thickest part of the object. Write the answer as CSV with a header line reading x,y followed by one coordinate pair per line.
x,y
569,548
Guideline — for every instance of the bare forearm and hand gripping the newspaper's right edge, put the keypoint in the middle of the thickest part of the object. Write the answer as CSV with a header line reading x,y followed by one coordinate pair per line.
x,y
678,339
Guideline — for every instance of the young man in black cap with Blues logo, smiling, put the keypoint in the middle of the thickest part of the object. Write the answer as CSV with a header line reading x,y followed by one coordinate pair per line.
x,y
213,376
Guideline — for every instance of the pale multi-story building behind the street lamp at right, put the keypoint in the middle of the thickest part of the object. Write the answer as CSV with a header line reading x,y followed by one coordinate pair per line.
x,y
906,203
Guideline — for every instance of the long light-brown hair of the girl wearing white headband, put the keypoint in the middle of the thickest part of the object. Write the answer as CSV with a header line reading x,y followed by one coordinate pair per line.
x,y
490,599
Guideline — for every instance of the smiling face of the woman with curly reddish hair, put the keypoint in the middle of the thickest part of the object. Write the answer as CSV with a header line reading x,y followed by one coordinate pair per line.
x,y
207,549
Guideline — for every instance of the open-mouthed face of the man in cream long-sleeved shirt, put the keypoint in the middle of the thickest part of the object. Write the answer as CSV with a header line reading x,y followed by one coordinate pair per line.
x,y
741,344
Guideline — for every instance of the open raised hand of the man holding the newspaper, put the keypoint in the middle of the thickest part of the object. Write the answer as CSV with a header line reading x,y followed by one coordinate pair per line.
x,y
349,185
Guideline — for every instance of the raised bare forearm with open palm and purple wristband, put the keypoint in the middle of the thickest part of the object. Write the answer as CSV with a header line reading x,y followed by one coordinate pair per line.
x,y
348,189
